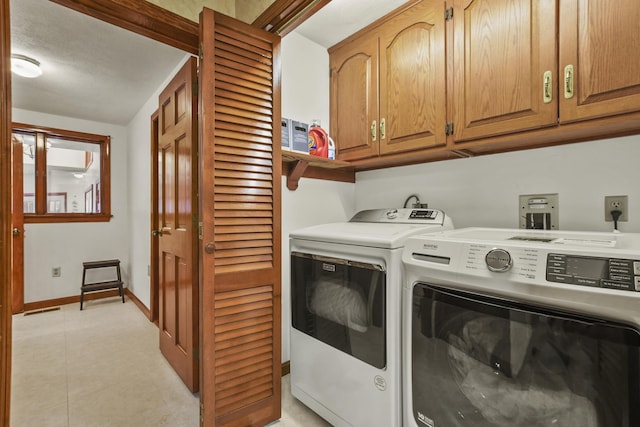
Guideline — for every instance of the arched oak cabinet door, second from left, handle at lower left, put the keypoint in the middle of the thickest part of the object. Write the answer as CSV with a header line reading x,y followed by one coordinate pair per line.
x,y
412,79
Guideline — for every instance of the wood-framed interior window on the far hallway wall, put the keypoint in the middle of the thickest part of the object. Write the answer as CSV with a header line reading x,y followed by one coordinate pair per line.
x,y
65,175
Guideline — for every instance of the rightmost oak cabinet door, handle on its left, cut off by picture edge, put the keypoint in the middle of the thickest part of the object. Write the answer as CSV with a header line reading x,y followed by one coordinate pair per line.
x,y
601,41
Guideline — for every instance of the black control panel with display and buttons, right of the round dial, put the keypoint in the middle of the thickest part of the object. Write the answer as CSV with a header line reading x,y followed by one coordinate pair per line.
x,y
613,273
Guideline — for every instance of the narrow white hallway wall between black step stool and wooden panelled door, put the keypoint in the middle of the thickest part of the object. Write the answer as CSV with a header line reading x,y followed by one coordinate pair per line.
x,y
139,196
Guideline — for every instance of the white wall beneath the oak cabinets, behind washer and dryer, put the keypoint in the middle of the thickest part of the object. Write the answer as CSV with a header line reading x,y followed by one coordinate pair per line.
x,y
483,191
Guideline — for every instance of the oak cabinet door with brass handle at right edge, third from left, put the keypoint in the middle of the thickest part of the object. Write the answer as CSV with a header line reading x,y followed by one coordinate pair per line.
x,y
502,50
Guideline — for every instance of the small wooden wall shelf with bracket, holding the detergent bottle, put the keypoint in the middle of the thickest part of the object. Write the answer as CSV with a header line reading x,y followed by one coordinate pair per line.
x,y
298,165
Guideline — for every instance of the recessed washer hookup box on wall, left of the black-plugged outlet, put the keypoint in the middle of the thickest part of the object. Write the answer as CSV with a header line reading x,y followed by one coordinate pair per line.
x,y
539,211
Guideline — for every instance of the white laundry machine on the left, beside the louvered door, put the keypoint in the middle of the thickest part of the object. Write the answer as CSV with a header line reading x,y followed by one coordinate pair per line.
x,y
346,287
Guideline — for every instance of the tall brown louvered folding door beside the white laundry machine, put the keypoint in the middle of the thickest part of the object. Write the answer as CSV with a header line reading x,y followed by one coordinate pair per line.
x,y
240,168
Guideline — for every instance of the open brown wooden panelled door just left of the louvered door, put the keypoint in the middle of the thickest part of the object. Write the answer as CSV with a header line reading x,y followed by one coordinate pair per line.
x,y
178,252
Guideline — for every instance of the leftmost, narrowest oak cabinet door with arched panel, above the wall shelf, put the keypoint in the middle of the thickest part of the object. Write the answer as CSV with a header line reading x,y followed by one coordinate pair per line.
x,y
354,99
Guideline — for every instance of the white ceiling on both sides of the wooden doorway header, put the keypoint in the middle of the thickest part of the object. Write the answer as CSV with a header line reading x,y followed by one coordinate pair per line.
x,y
96,71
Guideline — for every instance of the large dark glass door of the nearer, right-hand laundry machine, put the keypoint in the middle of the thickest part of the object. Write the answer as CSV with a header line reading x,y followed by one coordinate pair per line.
x,y
479,361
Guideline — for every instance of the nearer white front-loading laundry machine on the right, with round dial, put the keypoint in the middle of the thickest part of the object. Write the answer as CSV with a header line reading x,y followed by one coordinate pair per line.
x,y
521,328
